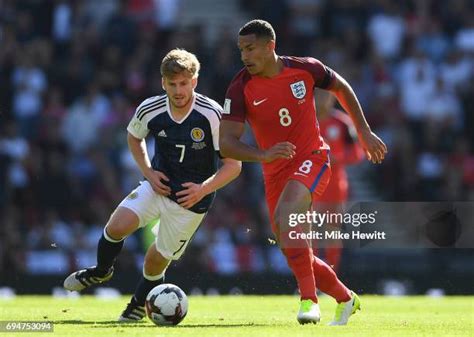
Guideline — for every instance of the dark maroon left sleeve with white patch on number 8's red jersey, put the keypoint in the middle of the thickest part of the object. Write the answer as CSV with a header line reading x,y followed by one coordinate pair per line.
x,y
234,103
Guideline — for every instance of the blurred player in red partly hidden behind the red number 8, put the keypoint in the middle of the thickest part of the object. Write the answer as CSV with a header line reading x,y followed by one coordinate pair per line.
x,y
338,131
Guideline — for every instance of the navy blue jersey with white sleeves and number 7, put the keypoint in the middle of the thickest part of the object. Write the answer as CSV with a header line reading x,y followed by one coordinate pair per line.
x,y
185,151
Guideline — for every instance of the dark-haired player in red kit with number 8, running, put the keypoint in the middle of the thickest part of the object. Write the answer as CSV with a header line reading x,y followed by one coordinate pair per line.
x,y
275,95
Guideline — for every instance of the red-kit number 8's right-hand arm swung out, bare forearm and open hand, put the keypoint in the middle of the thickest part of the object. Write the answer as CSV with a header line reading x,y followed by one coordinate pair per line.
x,y
374,147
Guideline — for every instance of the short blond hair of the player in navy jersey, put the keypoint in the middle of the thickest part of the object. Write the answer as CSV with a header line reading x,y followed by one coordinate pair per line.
x,y
179,60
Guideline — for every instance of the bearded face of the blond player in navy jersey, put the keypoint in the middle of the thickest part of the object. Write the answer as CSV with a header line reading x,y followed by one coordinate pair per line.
x,y
180,89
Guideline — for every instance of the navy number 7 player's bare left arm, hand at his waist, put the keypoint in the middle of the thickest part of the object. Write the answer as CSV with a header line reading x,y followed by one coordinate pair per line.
x,y
137,147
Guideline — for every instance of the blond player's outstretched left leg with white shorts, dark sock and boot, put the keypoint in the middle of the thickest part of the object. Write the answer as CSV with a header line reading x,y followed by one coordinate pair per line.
x,y
133,212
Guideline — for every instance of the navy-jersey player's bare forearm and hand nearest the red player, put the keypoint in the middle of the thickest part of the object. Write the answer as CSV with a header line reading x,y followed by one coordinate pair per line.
x,y
193,193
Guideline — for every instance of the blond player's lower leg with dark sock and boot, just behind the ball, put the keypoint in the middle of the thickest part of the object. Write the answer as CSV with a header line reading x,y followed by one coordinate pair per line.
x,y
154,267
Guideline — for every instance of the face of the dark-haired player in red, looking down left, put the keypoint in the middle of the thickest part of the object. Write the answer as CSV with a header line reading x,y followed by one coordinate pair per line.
x,y
255,52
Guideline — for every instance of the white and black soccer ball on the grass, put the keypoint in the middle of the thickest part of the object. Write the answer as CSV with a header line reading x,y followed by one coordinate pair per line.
x,y
166,304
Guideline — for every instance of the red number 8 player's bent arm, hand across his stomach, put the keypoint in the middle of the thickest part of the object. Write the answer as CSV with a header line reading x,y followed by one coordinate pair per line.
x,y
231,146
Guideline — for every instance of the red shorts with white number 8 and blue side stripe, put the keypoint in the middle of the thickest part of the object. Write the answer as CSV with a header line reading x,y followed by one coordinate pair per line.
x,y
313,171
